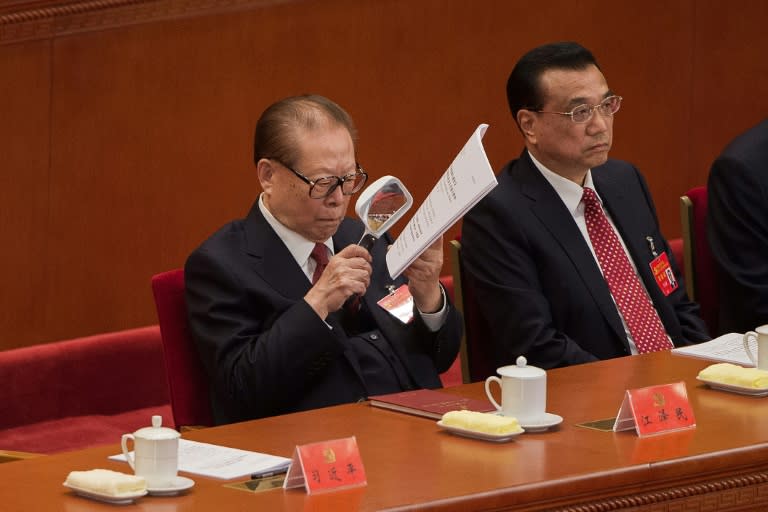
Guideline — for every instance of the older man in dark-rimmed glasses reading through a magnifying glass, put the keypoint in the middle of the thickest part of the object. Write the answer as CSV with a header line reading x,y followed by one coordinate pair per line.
x,y
271,297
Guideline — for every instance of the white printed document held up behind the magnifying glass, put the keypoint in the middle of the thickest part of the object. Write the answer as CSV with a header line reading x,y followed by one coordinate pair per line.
x,y
468,179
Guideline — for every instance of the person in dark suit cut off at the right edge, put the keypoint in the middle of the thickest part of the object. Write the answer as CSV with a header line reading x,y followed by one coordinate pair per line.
x,y
737,229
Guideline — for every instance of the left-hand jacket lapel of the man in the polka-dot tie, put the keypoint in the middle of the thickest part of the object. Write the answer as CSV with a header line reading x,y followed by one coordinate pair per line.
x,y
552,212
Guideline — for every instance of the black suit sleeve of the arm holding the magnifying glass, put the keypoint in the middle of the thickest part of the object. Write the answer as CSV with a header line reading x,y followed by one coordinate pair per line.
x,y
259,354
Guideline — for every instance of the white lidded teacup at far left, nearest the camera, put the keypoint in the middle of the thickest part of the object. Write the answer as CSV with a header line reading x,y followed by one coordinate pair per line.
x,y
156,453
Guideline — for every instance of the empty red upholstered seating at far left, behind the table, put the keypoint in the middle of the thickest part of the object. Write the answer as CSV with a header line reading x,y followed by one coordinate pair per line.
x,y
82,392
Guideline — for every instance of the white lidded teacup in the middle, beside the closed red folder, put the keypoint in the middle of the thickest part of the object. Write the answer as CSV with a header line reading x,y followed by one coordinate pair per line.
x,y
523,391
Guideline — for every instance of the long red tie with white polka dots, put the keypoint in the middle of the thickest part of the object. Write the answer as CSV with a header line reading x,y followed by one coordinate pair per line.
x,y
634,304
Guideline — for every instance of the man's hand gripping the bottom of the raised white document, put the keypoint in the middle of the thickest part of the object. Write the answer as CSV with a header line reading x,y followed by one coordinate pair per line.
x,y
424,278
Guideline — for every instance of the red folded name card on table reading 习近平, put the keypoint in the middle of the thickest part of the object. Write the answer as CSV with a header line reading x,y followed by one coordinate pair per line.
x,y
326,466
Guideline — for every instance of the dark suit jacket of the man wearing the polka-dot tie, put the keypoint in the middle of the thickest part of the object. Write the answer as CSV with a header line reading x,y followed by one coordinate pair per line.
x,y
537,284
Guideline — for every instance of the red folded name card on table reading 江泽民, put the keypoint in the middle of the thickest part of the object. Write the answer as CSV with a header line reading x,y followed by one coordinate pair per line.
x,y
655,410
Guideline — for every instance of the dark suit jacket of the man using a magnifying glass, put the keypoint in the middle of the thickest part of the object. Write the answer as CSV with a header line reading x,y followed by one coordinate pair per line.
x,y
266,350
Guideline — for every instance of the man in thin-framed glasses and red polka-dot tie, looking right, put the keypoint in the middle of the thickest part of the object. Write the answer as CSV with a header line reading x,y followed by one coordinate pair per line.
x,y
565,255
